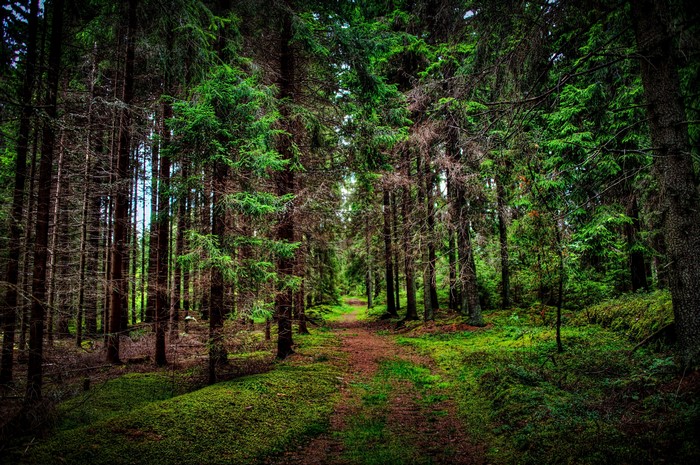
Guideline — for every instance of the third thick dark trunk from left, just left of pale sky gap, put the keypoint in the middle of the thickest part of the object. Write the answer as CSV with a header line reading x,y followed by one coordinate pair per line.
x,y
121,199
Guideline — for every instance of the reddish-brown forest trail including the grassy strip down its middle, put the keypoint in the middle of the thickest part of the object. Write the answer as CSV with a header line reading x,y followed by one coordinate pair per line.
x,y
392,410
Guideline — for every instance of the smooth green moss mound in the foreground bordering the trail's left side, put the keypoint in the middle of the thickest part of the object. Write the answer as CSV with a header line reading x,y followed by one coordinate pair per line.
x,y
232,422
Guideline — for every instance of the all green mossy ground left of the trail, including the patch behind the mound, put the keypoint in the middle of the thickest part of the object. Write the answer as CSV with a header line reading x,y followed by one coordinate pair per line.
x,y
139,419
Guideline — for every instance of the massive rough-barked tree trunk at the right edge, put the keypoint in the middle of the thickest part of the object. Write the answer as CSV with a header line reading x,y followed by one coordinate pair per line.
x,y
673,167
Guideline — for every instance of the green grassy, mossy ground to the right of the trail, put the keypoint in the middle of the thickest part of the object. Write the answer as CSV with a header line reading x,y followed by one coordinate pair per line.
x,y
592,404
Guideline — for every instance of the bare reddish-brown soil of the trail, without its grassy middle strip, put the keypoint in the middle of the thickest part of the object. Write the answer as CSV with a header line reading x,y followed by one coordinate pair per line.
x,y
435,431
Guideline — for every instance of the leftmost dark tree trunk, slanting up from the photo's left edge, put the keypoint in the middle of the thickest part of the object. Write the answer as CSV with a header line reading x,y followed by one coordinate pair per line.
x,y
9,312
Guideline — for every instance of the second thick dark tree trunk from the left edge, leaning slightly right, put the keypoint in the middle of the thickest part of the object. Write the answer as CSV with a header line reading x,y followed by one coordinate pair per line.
x,y
36,324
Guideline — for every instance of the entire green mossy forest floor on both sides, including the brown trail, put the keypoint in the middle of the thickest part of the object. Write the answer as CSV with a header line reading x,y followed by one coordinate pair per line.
x,y
498,394
